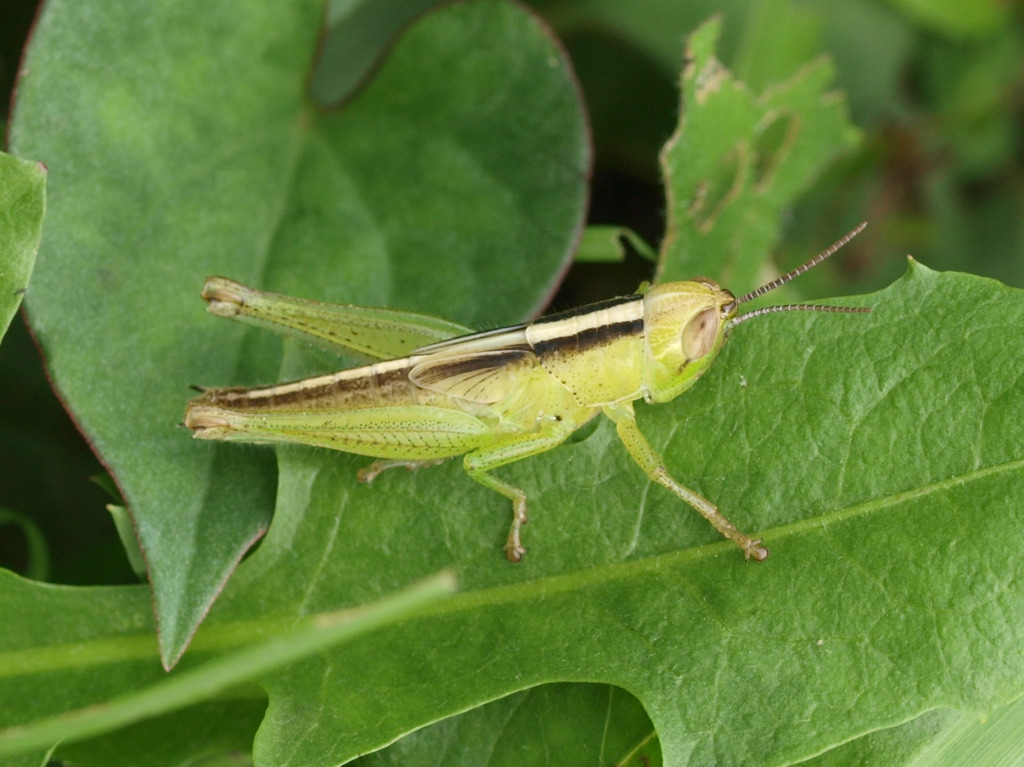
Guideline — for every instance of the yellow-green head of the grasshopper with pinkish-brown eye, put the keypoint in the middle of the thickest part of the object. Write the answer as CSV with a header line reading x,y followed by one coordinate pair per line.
x,y
687,325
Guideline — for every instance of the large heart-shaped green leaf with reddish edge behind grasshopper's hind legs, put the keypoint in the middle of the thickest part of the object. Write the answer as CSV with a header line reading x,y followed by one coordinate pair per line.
x,y
195,151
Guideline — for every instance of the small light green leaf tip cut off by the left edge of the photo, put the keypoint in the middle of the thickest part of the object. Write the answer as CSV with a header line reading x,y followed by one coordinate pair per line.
x,y
23,202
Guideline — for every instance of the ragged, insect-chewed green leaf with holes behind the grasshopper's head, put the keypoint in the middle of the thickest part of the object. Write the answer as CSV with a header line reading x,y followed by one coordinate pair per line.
x,y
739,160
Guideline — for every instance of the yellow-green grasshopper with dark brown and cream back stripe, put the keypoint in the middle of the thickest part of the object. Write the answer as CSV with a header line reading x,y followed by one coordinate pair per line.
x,y
494,398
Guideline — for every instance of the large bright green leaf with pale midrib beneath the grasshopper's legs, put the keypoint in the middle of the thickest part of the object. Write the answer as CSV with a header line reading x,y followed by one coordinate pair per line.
x,y
879,456
